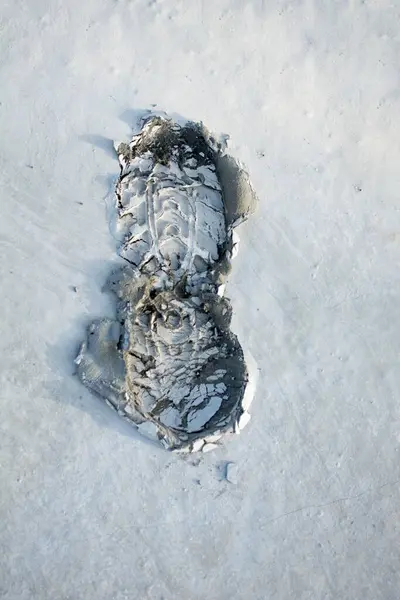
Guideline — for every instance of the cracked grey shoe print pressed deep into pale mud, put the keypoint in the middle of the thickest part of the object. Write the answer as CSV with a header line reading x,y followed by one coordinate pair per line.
x,y
169,362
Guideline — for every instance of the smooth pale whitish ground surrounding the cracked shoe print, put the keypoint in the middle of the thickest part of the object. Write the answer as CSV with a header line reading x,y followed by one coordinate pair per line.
x,y
309,92
